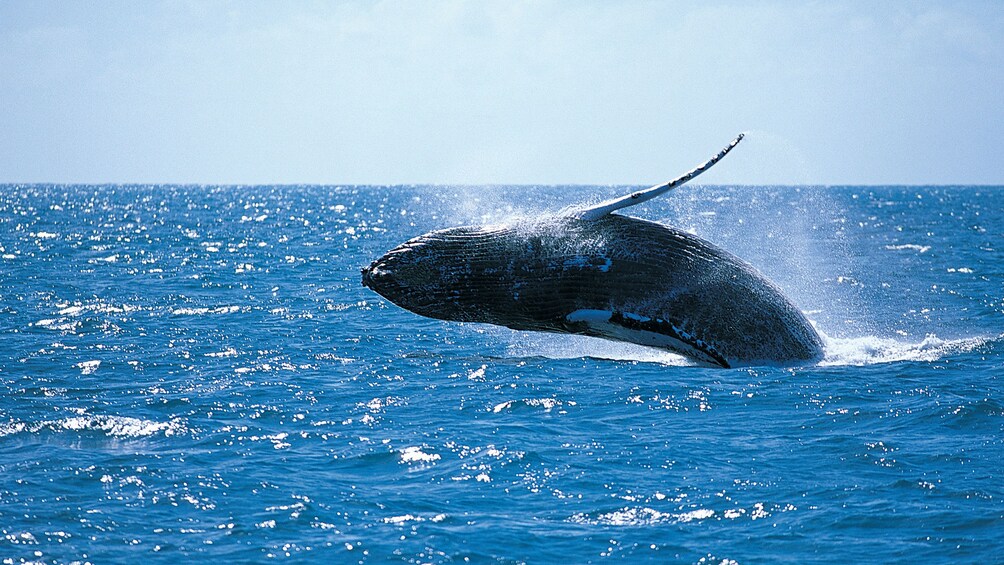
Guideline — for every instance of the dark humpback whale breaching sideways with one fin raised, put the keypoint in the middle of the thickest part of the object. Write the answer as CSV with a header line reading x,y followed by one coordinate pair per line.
x,y
591,271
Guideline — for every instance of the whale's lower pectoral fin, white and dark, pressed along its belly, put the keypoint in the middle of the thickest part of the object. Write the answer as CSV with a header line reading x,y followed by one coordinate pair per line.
x,y
643,331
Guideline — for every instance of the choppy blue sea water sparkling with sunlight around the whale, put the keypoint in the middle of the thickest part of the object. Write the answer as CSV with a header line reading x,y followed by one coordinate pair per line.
x,y
197,373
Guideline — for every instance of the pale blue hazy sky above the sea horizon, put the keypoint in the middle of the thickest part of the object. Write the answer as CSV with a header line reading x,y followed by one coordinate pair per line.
x,y
631,93
